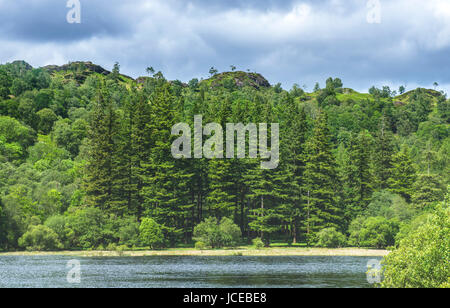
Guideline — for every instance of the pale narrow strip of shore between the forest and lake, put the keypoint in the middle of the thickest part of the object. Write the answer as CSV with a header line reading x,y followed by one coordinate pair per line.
x,y
343,252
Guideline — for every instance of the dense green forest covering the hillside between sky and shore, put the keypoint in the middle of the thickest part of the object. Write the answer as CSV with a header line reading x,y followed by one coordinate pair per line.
x,y
85,161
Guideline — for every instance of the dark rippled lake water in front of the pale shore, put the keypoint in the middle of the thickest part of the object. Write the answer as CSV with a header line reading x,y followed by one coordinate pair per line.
x,y
187,272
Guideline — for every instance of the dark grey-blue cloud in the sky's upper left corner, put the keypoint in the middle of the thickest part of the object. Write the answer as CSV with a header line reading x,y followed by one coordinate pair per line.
x,y
45,20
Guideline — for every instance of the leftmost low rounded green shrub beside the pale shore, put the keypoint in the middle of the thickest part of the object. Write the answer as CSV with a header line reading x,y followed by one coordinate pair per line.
x,y
40,238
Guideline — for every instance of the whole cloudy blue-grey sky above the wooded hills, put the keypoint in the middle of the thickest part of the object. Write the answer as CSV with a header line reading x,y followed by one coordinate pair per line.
x,y
286,41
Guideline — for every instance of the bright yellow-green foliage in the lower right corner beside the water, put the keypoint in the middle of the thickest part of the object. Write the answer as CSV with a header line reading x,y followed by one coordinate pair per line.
x,y
422,259
